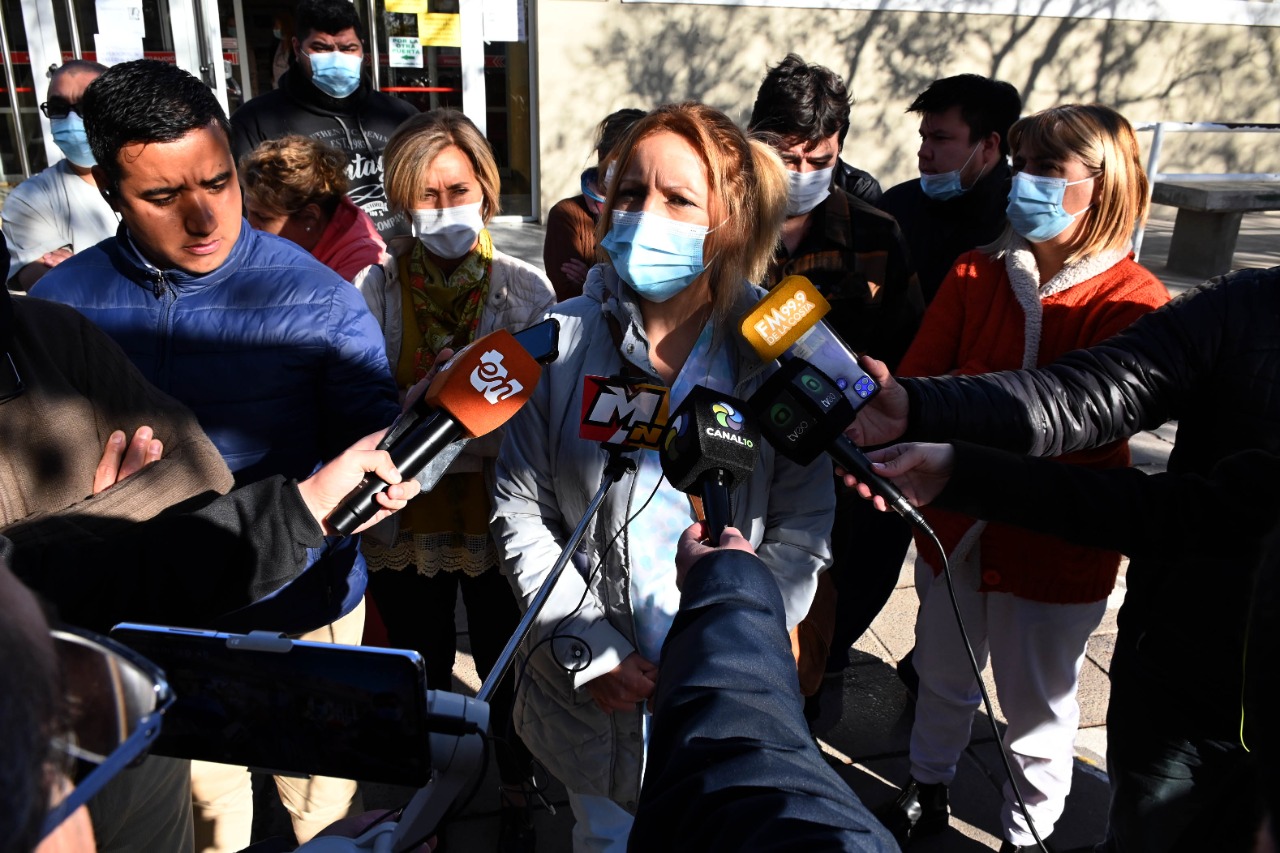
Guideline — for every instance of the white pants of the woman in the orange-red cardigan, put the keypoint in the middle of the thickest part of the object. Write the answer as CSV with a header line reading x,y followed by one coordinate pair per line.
x,y
1036,655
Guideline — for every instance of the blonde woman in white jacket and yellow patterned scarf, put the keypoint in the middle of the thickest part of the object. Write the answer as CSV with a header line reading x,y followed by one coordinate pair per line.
x,y
444,288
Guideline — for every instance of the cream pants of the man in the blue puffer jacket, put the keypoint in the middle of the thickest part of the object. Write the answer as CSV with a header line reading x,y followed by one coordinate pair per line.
x,y
223,796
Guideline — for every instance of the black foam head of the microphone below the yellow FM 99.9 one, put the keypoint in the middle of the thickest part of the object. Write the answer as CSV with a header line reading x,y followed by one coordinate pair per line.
x,y
802,410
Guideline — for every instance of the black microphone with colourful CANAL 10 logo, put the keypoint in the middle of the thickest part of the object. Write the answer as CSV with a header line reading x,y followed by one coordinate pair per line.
x,y
711,446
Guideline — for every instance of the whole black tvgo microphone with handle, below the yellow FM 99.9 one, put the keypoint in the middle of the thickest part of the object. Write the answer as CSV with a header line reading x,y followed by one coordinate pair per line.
x,y
804,414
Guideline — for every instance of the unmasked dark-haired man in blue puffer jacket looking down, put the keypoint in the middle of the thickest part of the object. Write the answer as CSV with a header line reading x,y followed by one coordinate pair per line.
x,y
276,354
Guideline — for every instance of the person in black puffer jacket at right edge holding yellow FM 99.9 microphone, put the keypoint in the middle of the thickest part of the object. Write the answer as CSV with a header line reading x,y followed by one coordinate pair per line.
x,y
1177,735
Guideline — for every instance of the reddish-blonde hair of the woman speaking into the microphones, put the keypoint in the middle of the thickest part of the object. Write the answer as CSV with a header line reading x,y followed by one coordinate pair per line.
x,y
747,193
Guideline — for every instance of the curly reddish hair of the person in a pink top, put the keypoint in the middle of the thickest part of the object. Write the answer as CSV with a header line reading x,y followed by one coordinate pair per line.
x,y
285,176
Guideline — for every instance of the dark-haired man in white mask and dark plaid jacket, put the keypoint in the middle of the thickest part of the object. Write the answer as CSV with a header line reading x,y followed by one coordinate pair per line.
x,y
857,257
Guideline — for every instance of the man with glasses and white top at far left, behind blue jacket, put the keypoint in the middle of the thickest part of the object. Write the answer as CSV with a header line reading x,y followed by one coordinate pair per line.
x,y
57,213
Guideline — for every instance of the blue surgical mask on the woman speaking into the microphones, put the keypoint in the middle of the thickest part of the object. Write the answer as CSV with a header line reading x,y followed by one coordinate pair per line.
x,y
657,257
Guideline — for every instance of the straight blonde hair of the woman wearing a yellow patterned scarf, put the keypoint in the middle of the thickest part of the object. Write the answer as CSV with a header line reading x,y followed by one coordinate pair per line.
x,y
419,140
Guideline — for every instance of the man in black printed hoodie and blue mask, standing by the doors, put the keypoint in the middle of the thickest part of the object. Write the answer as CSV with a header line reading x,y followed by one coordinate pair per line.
x,y
326,97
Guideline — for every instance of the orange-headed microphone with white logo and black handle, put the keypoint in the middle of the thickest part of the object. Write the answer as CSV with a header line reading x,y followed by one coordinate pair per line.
x,y
478,391
